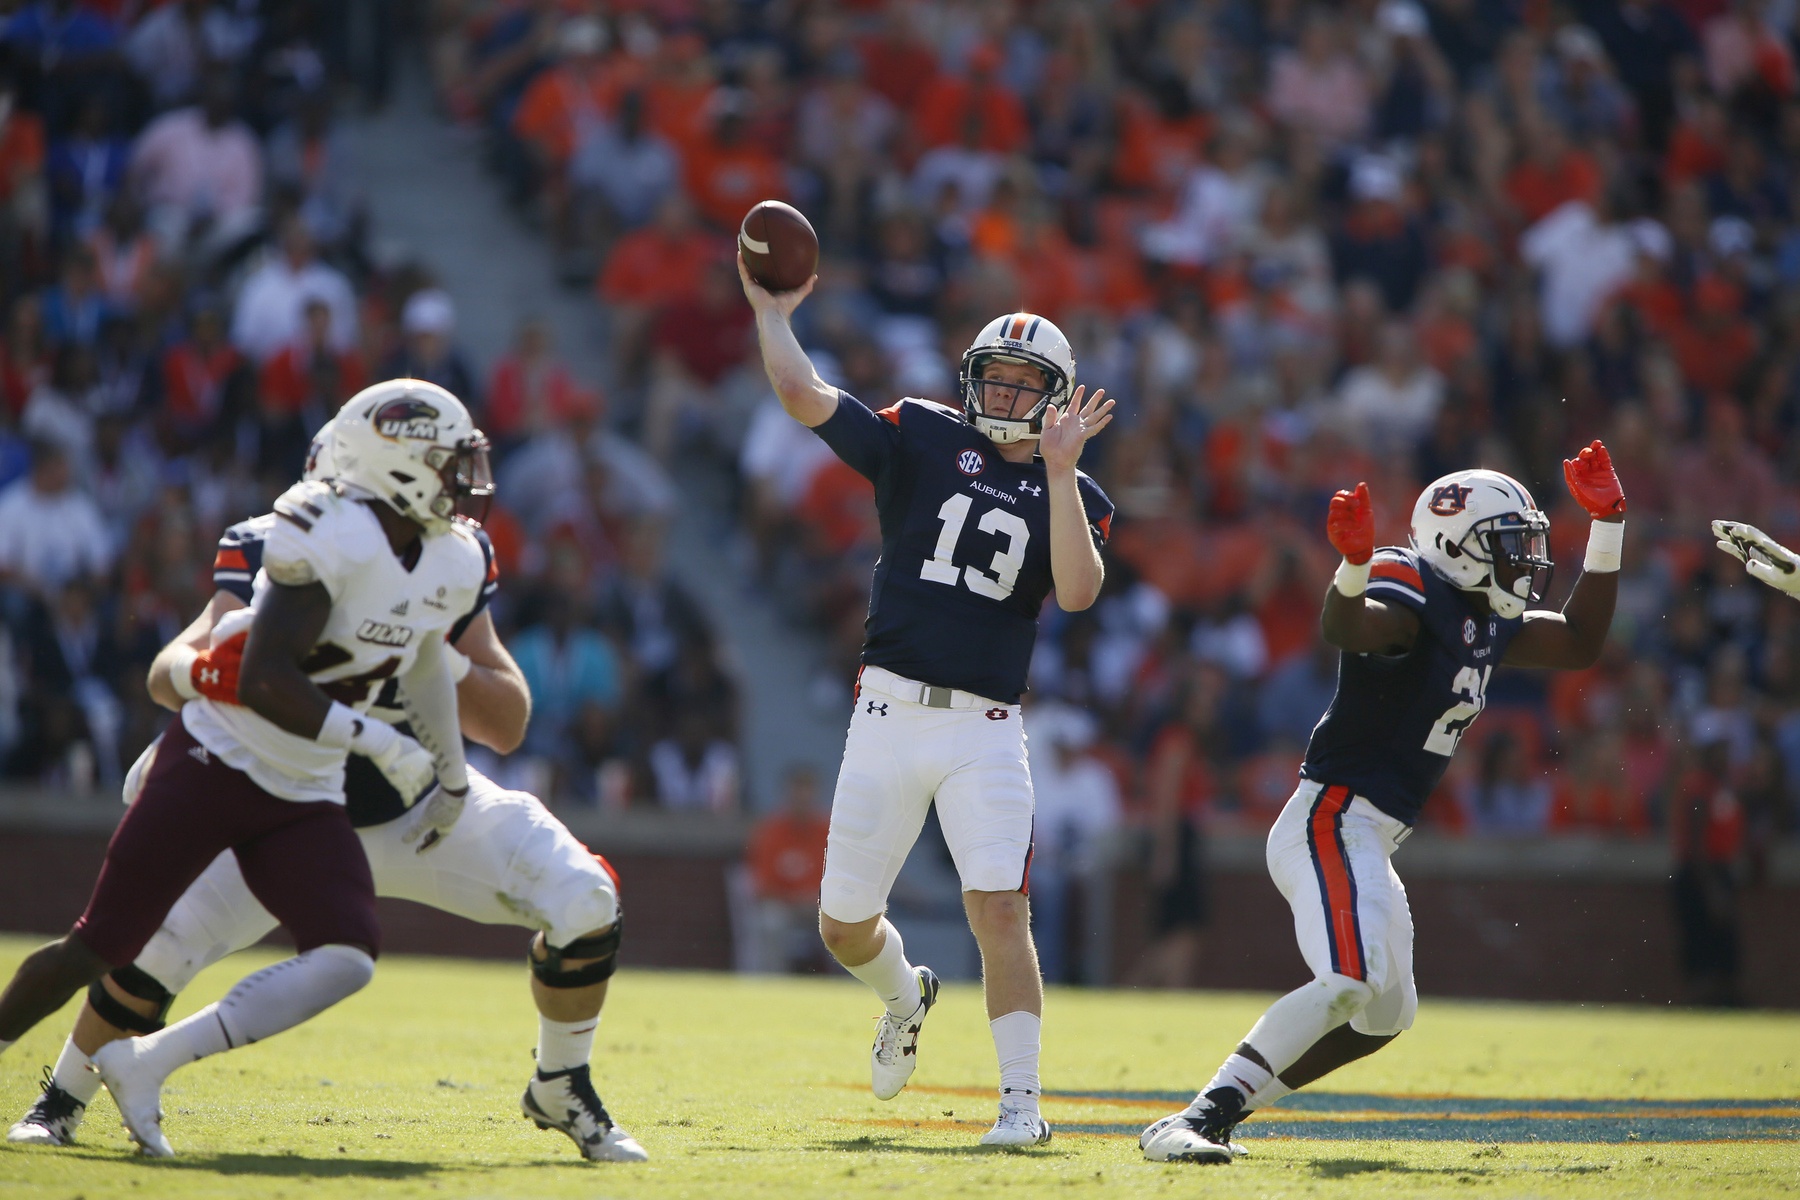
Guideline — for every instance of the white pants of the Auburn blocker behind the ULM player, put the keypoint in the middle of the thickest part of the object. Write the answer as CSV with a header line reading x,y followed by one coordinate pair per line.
x,y
505,863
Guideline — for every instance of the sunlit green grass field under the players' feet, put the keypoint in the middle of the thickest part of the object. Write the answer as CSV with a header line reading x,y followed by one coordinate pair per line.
x,y
750,1088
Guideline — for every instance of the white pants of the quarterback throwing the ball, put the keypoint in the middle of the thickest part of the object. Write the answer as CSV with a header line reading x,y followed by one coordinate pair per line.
x,y
899,758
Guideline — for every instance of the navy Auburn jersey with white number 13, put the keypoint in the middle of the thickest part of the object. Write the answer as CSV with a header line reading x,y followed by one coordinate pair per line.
x,y
966,546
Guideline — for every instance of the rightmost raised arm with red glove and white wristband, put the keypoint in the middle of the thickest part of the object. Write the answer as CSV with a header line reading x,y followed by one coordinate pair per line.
x,y
1572,640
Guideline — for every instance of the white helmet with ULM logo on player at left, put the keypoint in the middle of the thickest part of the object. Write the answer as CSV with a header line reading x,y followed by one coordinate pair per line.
x,y
413,445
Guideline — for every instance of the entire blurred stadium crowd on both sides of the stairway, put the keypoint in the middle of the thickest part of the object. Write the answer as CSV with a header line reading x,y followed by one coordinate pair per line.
x,y
1302,244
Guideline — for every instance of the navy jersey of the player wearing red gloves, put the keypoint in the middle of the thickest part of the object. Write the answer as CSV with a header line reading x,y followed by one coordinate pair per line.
x,y
1398,719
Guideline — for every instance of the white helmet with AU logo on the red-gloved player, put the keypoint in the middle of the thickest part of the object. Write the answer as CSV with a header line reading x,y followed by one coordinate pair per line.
x,y
1484,533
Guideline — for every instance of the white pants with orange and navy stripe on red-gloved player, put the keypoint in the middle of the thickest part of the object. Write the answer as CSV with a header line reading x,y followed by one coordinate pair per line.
x,y
1329,854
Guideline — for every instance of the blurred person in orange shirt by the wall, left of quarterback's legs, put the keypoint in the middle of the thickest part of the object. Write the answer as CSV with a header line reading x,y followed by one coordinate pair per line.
x,y
786,861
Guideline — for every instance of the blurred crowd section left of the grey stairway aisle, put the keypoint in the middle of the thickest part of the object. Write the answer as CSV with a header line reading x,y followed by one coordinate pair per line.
x,y
188,292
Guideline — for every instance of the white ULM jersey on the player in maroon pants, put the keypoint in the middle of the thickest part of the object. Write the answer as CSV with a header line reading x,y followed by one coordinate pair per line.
x,y
381,614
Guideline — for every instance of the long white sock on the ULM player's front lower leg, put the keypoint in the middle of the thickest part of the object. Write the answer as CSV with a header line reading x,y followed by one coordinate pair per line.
x,y
264,1005
